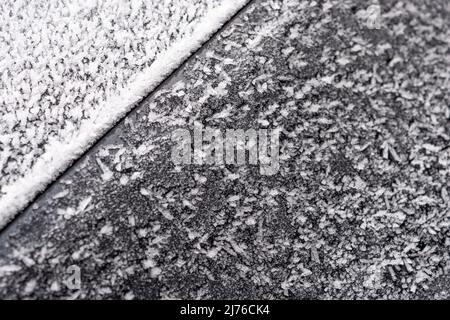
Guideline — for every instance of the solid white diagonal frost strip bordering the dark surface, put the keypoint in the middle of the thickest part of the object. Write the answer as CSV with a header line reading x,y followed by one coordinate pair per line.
x,y
60,155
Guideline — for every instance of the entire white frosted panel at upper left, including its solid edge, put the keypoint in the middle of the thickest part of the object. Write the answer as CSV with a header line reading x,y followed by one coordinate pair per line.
x,y
70,69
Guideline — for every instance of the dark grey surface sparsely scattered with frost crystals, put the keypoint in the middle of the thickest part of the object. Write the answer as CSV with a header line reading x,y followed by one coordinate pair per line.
x,y
358,209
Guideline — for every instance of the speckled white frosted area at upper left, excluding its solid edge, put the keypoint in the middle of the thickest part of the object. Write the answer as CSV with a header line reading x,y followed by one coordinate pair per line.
x,y
61,61
